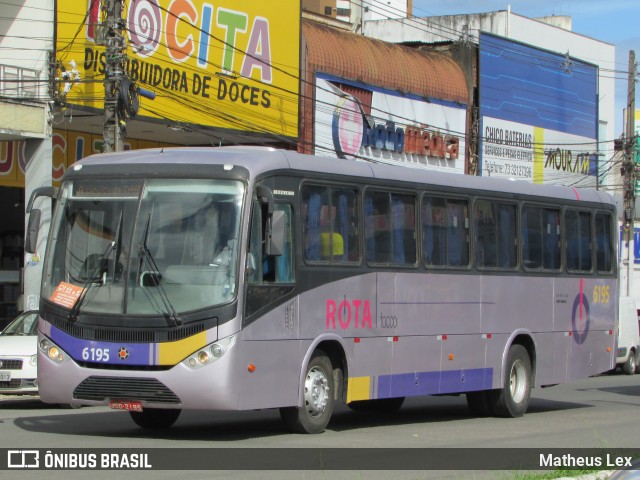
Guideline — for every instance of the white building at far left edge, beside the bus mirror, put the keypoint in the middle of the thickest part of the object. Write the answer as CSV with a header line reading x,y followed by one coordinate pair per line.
x,y
25,141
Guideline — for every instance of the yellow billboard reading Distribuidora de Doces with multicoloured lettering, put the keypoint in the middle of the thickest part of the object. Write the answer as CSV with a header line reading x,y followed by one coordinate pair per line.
x,y
232,64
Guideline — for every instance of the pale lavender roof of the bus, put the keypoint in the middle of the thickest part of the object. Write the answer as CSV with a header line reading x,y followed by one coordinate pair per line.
x,y
261,160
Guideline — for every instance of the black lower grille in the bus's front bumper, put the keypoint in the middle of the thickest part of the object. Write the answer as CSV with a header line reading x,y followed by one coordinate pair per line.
x,y
144,389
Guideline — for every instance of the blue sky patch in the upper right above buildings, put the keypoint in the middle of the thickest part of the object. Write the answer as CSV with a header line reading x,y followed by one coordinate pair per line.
x,y
613,21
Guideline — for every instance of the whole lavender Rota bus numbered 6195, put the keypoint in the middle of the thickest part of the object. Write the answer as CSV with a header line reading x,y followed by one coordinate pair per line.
x,y
251,278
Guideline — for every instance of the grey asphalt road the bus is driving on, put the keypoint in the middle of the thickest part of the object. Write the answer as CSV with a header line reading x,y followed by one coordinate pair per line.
x,y
601,413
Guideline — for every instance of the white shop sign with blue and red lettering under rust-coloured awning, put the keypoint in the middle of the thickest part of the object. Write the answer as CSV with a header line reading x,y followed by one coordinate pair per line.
x,y
393,135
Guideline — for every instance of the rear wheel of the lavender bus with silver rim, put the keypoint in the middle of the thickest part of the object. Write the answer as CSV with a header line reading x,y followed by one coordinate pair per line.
x,y
512,399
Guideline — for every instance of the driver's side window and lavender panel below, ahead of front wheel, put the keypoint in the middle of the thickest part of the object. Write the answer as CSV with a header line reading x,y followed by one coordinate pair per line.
x,y
270,315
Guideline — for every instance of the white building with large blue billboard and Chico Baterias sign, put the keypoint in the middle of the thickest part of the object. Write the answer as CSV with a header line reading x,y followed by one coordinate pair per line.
x,y
535,41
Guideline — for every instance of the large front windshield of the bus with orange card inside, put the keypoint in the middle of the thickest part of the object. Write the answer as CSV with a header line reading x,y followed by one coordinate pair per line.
x,y
144,247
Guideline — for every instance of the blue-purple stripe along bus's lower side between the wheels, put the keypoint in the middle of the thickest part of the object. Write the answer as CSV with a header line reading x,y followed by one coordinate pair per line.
x,y
432,383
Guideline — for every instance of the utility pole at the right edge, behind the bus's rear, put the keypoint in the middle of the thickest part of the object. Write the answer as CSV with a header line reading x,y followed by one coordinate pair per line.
x,y
628,169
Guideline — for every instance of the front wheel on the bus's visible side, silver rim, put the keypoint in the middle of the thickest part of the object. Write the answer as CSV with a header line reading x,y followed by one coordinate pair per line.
x,y
318,398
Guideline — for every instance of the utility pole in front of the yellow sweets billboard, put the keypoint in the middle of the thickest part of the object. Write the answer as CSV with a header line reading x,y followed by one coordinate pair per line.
x,y
114,40
